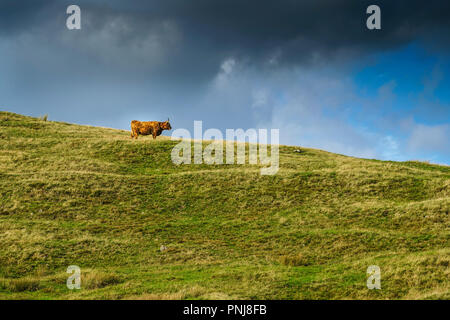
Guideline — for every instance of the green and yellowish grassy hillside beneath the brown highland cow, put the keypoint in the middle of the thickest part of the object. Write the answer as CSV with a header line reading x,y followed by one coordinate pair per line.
x,y
92,197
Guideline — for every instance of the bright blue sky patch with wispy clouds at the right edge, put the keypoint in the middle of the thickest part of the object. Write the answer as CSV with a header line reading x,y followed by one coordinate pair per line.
x,y
416,85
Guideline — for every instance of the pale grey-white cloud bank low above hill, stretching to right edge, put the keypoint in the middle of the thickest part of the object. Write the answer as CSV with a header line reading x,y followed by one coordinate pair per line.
x,y
317,108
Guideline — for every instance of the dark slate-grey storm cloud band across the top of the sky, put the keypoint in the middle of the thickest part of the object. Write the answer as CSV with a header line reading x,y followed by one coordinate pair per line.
x,y
283,32
